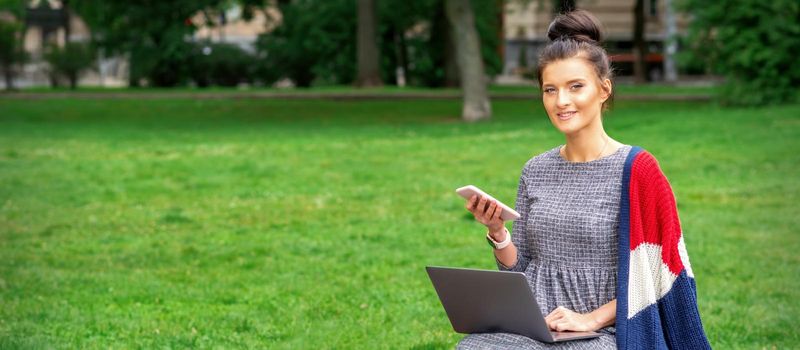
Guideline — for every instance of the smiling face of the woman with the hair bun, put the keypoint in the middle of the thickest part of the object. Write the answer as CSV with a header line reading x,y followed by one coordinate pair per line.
x,y
572,94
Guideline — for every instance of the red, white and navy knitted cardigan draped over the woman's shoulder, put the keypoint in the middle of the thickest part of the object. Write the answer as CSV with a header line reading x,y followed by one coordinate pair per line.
x,y
656,293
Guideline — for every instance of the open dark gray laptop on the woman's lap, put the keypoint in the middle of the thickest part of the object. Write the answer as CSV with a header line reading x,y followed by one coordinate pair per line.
x,y
484,301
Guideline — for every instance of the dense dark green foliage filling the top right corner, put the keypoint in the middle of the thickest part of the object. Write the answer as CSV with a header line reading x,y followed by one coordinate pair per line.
x,y
754,44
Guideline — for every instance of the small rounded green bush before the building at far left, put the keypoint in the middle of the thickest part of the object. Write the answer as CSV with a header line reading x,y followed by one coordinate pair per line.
x,y
70,60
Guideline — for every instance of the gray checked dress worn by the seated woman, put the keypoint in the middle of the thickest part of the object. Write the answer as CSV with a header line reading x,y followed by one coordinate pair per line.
x,y
567,242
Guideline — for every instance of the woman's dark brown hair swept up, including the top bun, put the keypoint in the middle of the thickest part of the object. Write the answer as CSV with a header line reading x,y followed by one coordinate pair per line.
x,y
576,34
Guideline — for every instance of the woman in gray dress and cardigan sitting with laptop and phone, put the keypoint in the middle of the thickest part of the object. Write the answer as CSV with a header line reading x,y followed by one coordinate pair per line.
x,y
598,237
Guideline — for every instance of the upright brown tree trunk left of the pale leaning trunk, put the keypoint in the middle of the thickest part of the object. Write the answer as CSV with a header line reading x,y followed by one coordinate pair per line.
x,y
368,72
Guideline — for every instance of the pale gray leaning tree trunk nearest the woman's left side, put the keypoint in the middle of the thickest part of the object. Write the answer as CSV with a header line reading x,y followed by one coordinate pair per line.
x,y
470,62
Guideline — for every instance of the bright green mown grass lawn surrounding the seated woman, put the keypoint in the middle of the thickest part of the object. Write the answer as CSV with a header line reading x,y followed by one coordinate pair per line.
x,y
183,223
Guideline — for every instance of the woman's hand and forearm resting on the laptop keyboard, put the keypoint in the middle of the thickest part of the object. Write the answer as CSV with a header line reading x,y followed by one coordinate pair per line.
x,y
563,319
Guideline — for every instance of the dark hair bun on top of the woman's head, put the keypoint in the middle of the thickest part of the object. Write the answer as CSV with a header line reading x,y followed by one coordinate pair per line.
x,y
578,25
